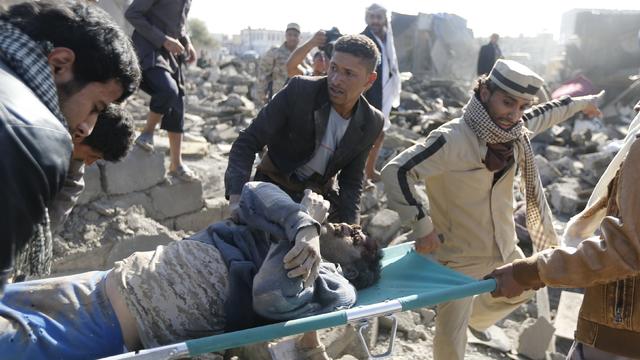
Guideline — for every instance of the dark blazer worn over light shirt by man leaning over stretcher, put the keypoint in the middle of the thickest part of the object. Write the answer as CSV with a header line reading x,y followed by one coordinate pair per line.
x,y
292,126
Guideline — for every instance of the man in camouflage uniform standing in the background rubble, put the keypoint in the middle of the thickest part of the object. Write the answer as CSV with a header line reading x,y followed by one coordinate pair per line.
x,y
272,73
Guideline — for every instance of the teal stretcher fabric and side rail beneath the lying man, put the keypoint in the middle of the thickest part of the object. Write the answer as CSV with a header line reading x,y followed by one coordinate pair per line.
x,y
412,279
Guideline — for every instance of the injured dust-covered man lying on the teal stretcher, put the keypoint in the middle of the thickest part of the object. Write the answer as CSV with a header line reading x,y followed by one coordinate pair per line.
x,y
264,267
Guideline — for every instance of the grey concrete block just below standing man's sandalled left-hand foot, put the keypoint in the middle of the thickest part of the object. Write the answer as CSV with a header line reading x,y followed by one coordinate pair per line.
x,y
140,170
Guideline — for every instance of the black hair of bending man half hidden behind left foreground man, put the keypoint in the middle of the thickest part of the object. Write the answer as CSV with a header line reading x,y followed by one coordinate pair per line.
x,y
113,134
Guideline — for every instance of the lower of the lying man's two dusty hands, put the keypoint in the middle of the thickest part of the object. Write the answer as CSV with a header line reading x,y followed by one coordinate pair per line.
x,y
304,258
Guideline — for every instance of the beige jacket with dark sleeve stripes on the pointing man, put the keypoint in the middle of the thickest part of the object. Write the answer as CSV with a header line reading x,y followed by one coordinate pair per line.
x,y
473,215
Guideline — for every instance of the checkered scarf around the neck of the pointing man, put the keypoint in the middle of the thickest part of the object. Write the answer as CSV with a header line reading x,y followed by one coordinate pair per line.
x,y
539,221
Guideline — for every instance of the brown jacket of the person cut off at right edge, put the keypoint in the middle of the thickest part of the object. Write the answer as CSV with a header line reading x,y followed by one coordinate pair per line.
x,y
608,266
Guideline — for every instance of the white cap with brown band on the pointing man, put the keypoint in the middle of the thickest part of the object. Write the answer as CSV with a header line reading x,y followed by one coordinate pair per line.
x,y
516,79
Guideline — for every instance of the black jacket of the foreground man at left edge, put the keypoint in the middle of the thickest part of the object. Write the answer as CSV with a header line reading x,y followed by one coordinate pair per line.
x,y
36,148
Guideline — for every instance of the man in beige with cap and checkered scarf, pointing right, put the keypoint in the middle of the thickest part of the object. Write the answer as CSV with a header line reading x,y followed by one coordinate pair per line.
x,y
468,166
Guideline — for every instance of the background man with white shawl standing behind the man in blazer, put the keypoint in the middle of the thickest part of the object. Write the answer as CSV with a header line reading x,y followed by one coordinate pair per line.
x,y
385,91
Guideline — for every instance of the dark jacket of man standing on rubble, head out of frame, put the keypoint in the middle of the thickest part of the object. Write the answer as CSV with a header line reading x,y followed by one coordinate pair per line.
x,y
153,21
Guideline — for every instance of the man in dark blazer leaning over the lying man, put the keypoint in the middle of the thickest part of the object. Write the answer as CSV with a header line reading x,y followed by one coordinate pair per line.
x,y
316,129
